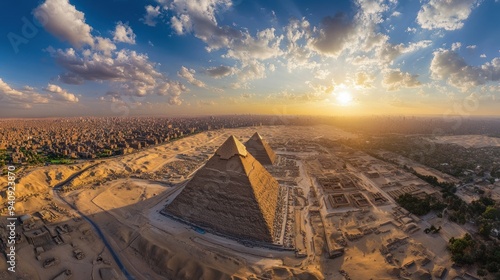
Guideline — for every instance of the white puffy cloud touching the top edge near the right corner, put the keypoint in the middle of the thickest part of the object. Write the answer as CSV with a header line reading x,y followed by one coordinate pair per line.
x,y
445,14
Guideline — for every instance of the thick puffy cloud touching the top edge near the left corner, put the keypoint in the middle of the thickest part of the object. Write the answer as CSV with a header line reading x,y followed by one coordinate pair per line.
x,y
64,21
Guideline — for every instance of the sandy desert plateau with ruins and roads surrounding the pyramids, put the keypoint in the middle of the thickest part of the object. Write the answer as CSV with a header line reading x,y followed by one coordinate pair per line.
x,y
341,220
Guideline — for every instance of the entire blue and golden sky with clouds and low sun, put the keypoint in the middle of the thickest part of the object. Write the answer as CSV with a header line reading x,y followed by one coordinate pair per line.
x,y
179,57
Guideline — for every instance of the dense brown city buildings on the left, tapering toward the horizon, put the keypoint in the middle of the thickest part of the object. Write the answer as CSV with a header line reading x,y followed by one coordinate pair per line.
x,y
42,141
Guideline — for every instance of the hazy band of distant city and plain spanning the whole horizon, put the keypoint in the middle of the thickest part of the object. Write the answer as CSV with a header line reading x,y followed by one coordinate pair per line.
x,y
63,140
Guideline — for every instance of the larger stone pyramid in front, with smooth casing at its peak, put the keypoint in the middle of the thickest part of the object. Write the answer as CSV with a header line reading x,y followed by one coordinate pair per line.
x,y
232,194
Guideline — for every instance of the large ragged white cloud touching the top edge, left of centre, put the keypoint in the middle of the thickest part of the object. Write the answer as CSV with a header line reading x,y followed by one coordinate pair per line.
x,y
199,19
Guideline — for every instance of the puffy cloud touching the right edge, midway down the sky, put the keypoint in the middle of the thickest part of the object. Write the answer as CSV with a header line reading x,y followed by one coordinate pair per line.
x,y
448,65
